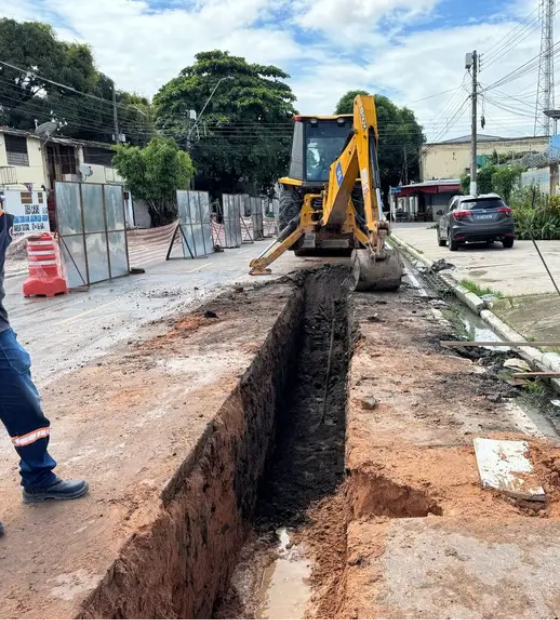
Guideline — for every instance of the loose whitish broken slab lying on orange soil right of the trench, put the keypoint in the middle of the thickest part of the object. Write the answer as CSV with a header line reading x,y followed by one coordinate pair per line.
x,y
503,465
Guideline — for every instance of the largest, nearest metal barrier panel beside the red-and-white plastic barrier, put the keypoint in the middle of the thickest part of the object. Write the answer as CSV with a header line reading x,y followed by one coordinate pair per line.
x,y
92,232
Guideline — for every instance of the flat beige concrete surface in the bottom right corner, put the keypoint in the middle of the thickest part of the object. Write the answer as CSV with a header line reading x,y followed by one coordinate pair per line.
x,y
469,570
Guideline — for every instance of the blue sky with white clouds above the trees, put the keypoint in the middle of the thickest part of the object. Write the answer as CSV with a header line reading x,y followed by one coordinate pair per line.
x,y
410,50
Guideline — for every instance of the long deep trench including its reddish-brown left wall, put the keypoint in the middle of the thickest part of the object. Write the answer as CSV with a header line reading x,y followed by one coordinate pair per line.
x,y
271,458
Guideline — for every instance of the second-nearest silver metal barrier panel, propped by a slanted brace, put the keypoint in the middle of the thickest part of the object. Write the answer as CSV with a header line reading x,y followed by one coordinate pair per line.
x,y
195,222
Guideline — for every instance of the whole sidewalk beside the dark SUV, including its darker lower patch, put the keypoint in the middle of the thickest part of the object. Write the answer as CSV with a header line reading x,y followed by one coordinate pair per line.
x,y
529,304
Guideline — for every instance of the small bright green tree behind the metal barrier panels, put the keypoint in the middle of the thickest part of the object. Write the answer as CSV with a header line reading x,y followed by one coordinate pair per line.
x,y
154,174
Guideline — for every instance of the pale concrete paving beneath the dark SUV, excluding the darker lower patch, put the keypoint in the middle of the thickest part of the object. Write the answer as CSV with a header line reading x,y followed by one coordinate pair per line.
x,y
517,271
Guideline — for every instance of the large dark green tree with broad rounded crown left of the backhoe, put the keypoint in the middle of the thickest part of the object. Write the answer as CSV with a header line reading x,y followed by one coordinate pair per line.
x,y
242,141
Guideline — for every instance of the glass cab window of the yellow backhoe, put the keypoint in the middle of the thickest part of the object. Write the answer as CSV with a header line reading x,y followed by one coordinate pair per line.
x,y
324,143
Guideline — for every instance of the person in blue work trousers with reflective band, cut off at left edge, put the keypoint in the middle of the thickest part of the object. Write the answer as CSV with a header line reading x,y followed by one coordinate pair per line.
x,y
20,406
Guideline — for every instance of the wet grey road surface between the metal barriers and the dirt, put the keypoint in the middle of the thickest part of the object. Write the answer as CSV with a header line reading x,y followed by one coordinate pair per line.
x,y
70,330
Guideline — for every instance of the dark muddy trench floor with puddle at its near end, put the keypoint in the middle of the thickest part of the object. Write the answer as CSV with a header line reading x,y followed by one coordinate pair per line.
x,y
299,502
